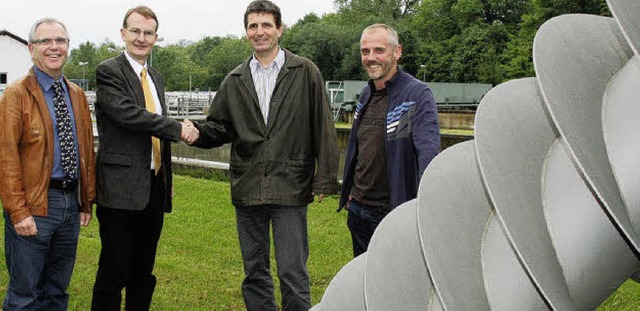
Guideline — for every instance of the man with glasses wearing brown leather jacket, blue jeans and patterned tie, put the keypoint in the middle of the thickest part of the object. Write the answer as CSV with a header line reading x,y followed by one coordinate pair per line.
x,y
47,181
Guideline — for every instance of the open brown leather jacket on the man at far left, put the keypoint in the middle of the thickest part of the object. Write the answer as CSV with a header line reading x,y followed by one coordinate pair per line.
x,y
26,148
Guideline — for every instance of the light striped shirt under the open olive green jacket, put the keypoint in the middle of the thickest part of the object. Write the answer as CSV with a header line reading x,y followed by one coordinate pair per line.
x,y
264,80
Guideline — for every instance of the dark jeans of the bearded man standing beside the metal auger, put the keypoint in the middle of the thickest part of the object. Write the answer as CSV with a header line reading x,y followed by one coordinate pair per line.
x,y
362,222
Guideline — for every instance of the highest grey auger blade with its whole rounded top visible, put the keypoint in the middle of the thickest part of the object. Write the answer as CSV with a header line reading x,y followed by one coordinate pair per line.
x,y
575,56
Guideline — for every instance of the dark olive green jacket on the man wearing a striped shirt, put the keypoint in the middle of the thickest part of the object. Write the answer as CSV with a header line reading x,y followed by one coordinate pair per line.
x,y
291,157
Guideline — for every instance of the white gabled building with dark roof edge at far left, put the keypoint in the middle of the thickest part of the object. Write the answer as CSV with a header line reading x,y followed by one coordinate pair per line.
x,y
15,60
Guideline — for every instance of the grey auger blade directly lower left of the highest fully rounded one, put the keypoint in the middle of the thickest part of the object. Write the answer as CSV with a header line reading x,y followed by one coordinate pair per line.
x,y
513,135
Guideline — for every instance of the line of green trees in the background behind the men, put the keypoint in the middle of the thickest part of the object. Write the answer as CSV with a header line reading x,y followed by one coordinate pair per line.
x,y
467,41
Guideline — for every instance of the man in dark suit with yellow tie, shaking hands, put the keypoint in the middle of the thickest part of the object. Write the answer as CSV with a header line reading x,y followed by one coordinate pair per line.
x,y
133,177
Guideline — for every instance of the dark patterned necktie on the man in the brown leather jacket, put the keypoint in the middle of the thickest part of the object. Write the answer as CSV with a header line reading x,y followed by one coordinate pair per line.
x,y
65,133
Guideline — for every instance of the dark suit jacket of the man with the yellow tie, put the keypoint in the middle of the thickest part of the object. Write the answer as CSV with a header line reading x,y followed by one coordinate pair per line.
x,y
125,127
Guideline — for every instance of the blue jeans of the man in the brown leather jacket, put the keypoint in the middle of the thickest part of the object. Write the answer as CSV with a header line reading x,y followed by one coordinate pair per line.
x,y
40,266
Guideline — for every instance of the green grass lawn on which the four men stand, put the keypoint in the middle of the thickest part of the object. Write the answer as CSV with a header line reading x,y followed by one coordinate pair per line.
x,y
199,266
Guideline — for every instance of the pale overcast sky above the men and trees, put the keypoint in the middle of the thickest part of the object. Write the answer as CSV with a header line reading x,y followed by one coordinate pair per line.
x,y
96,20
